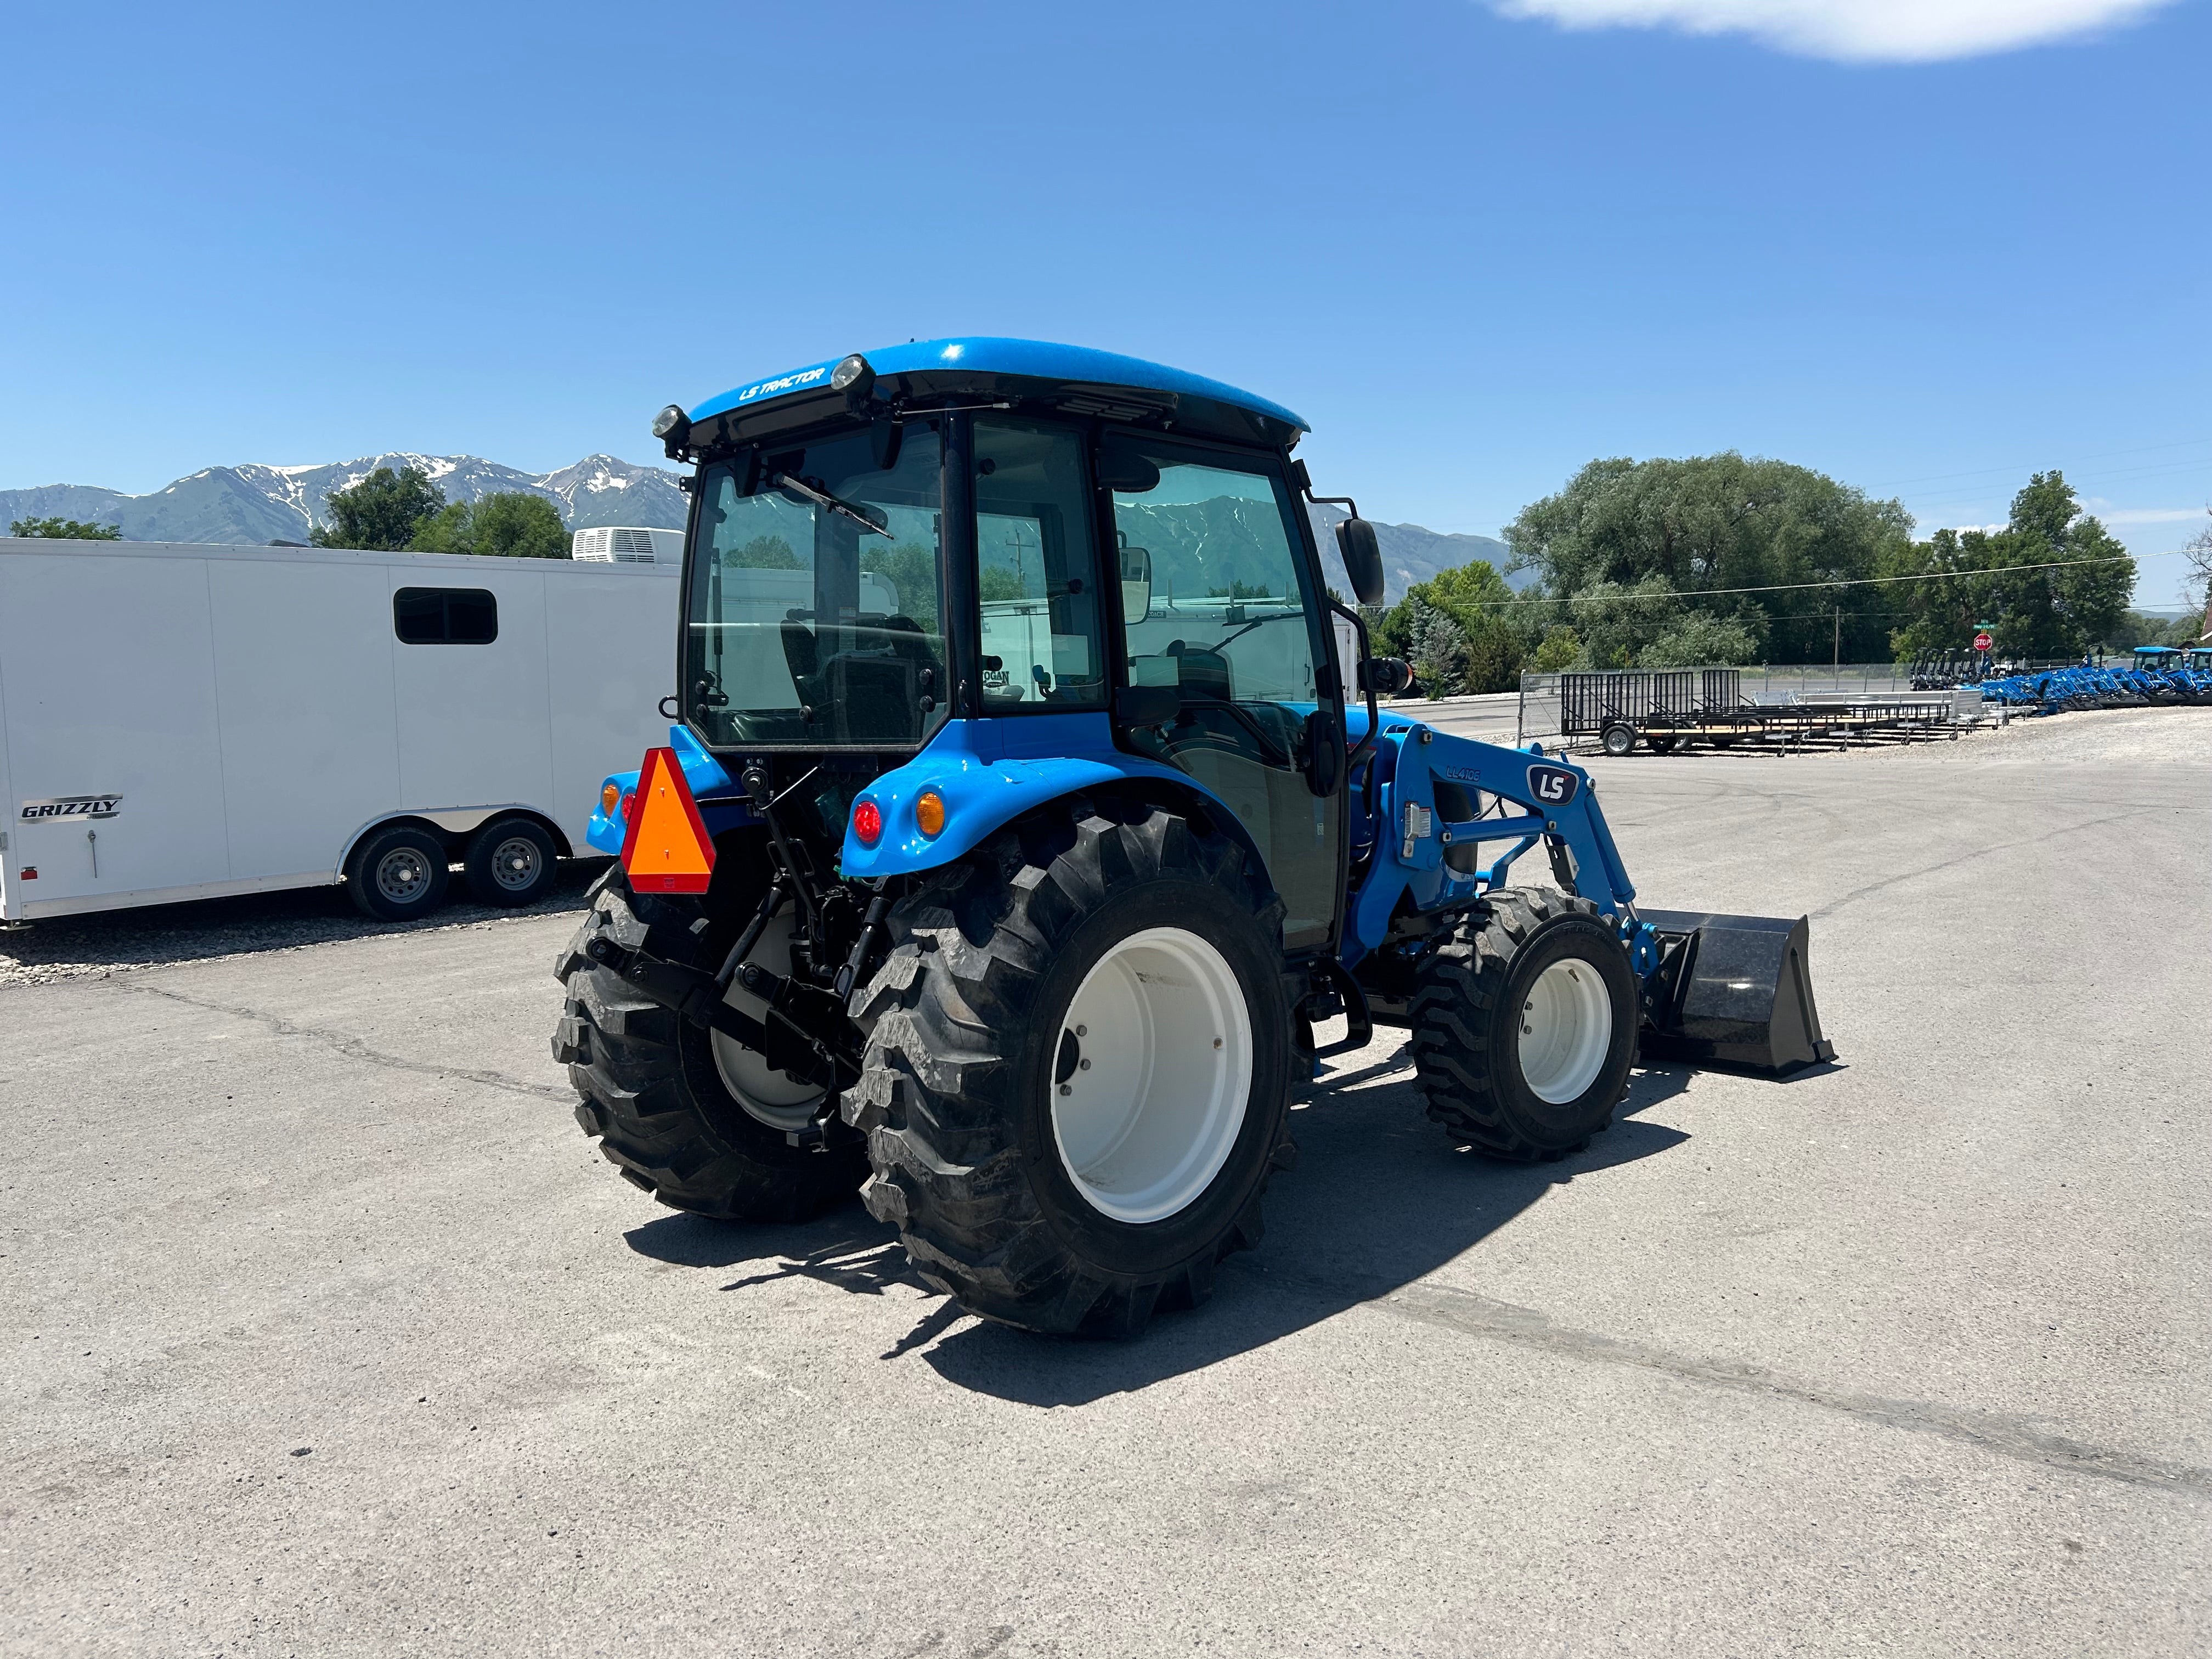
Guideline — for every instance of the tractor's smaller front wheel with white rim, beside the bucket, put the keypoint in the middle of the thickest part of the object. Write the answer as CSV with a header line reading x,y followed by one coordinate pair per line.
x,y
1525,1023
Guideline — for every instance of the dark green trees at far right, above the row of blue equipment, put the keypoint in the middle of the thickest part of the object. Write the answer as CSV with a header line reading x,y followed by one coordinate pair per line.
x,y
2032,614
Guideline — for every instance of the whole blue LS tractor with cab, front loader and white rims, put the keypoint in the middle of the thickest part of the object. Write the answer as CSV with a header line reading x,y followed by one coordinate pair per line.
x,y
1025,817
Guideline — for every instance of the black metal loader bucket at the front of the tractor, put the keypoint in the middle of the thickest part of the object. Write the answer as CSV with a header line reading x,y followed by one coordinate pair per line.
x,y
1733,990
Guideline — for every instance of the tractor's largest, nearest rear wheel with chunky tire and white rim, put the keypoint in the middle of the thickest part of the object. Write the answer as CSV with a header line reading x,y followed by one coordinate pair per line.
x,y
1078,1072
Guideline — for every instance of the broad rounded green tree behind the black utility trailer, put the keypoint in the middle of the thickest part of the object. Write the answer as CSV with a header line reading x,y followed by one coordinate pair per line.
x,y
1658,530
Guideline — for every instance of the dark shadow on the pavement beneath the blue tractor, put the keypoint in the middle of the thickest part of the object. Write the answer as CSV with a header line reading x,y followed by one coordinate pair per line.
x,y
1377,1202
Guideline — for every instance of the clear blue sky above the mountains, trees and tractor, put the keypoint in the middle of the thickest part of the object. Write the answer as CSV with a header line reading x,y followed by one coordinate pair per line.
x,y
1472,249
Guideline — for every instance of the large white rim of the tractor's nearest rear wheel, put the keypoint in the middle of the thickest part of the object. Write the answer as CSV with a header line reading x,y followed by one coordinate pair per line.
x,y
1158,1056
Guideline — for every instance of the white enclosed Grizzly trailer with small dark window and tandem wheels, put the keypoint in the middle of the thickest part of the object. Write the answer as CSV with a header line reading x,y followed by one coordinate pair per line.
x,y
187,722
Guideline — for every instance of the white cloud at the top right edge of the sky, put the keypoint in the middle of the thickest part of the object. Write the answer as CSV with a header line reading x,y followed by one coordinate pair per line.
x,y
1864,32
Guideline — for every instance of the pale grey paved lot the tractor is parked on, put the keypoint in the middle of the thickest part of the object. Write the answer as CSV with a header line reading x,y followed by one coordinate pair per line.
x,y
328,1333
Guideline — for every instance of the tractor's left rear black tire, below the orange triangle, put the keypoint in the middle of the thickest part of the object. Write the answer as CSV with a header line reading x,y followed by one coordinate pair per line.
x,y
658,1105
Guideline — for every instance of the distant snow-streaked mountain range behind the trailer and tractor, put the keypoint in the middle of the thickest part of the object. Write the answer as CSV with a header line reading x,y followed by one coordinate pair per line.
x,y
260,505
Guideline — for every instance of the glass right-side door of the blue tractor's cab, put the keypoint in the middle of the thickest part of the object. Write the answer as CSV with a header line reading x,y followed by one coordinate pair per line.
x,y
1235,627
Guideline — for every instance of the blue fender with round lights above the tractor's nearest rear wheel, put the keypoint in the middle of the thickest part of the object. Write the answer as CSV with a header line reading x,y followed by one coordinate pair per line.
x,y
994,771
